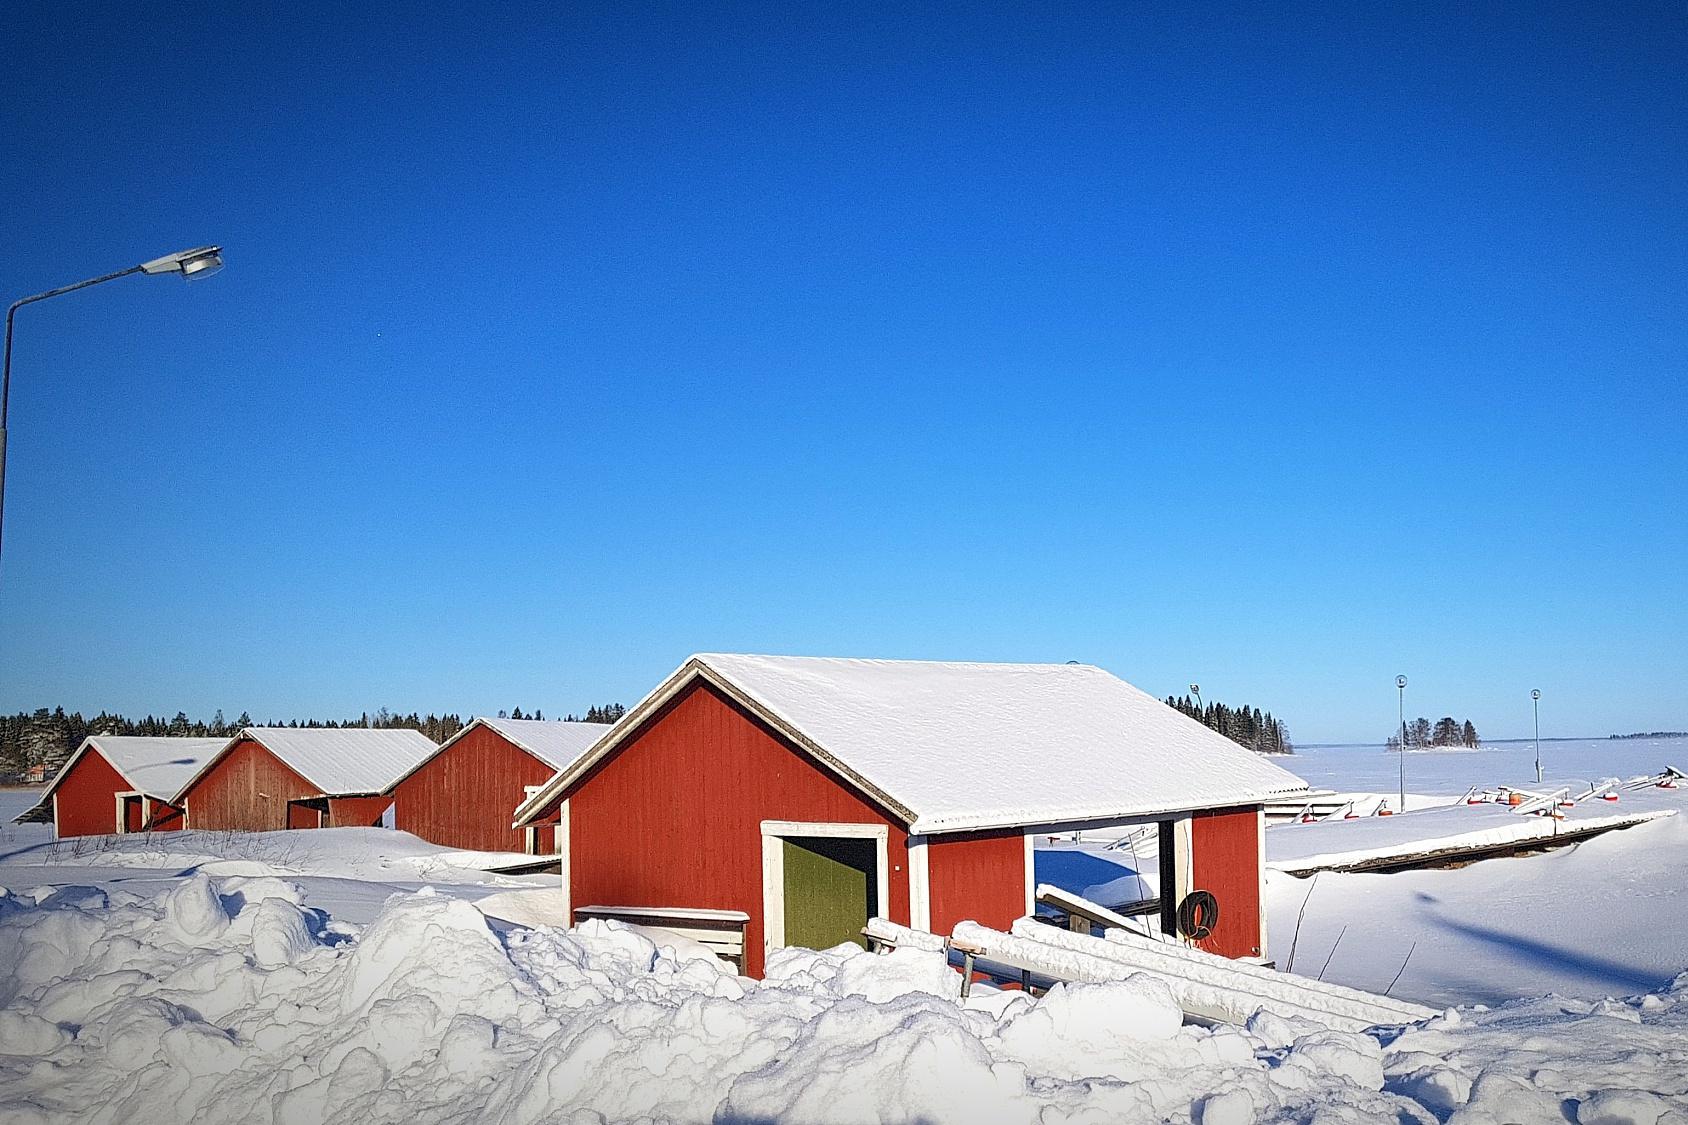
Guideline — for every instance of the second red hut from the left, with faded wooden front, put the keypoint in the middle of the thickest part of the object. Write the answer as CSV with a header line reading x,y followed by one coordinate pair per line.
x,y
274,778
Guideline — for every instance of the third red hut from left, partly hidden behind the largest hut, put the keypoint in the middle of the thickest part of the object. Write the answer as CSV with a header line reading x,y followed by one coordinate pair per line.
x,y
465,793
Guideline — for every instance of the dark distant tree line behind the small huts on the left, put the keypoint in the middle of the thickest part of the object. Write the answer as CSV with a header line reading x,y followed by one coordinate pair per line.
x,y
51,736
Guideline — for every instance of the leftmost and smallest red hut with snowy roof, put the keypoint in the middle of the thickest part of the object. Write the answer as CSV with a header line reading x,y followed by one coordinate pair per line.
x,y
119,785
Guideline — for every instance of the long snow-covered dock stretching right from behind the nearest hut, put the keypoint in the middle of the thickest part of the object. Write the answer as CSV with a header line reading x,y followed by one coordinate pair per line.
x,y
1447,835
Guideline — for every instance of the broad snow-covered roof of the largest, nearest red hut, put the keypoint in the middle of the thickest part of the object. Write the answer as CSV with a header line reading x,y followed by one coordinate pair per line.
x,y
960,747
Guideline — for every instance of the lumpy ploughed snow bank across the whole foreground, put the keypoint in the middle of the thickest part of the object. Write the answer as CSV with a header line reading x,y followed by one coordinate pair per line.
x,y
235,999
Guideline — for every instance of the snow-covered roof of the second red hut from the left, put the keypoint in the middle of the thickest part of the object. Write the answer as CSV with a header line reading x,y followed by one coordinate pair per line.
x,y
338,761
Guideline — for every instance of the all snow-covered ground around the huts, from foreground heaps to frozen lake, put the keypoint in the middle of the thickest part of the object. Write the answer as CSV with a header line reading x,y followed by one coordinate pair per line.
x,y
349,977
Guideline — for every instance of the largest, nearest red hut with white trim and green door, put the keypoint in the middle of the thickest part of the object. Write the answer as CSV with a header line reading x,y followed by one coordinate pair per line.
x,y
809,795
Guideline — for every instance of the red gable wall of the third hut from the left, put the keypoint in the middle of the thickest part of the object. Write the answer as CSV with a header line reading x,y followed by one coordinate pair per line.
x,y
468,795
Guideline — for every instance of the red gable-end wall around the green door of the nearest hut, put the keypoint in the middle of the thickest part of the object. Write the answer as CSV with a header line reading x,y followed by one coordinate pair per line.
x,y
674,817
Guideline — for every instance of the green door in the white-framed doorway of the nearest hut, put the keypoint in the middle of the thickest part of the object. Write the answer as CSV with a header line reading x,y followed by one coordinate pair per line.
x,y
830,889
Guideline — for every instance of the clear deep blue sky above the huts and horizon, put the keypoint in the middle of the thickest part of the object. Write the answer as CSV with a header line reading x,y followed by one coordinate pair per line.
x,y
1280,351
